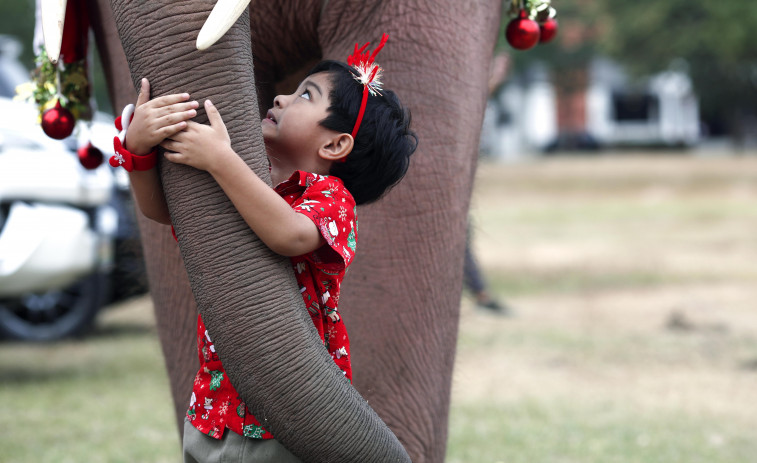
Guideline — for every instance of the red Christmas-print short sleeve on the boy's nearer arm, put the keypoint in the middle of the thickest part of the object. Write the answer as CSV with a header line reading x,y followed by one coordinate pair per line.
x,y
332,209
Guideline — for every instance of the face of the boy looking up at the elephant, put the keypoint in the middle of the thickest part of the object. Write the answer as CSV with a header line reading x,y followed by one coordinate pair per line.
x,y
291,129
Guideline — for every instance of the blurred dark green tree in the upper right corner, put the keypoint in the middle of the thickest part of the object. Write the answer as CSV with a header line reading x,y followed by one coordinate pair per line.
x,y
713,40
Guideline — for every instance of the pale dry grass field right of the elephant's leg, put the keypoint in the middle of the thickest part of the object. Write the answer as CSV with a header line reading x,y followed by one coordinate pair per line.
x,y
634,338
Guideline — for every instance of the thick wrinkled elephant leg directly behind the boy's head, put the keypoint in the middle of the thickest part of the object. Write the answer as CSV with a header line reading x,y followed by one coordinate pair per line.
x,y
401,297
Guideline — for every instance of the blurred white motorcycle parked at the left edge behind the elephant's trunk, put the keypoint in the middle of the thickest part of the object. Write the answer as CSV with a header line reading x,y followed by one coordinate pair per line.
x,y
57,229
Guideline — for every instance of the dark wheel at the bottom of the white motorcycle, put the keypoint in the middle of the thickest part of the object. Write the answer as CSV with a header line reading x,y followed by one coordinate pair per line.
x,y
53,314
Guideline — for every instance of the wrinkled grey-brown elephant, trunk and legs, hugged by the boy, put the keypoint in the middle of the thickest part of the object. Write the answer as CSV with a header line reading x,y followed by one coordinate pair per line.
x,y
400,299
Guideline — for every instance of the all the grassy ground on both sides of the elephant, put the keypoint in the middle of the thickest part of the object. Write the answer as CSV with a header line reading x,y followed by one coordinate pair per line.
x,y
634,336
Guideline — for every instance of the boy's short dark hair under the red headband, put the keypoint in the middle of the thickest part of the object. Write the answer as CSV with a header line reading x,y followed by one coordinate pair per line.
x,y
383,145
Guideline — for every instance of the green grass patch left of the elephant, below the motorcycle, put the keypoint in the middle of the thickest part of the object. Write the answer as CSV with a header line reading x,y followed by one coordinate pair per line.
x,y
100,399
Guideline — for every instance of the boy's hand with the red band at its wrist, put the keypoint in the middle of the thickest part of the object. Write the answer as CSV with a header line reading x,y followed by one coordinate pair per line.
x,y
155,120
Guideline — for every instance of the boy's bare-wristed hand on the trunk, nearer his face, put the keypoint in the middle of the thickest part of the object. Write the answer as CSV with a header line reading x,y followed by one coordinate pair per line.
x,y
200,146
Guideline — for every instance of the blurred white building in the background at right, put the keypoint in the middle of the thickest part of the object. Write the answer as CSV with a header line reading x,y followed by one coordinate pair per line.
x,y
588,109
